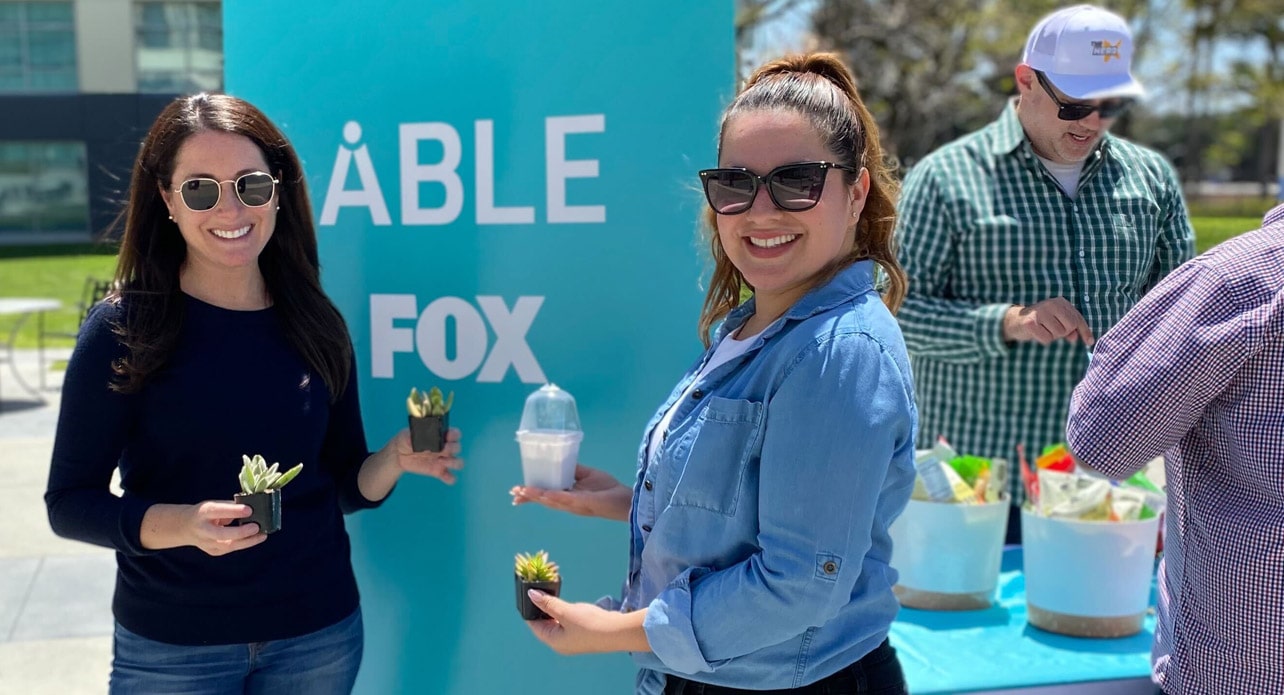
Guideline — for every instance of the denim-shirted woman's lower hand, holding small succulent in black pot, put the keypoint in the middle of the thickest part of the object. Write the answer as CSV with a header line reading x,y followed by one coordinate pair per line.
x,y
587,629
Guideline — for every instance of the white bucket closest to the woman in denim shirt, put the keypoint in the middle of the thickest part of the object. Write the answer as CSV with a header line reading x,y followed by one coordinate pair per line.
x,y
948,556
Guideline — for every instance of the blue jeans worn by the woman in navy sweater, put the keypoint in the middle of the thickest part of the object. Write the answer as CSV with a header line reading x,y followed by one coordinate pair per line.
x,y
324,662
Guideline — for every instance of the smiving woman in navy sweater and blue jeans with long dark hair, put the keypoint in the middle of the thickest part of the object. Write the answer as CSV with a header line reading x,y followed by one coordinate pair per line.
x,y
220,342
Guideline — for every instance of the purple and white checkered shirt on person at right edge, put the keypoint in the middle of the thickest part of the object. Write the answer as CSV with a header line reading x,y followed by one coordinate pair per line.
x,y
1196,373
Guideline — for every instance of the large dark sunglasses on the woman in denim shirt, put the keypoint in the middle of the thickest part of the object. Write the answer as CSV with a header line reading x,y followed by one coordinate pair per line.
x,y
793,187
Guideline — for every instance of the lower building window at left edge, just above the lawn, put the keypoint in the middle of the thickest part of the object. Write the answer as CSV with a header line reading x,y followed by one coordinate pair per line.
x,y
44,187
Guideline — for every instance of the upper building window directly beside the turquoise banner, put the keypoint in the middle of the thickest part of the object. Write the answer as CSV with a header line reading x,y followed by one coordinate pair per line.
x,y
180,47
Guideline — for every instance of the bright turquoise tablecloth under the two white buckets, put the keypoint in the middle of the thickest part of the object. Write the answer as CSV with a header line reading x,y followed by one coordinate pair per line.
x,y
971,651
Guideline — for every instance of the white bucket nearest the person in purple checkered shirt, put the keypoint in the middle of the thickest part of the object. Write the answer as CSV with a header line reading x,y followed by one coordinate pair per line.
x,y
1088,579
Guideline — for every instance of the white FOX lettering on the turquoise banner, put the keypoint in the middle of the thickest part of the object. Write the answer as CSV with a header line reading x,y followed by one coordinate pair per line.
x,y
472,341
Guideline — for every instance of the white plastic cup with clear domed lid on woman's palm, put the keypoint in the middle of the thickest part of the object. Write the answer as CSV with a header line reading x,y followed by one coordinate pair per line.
x,y
550,439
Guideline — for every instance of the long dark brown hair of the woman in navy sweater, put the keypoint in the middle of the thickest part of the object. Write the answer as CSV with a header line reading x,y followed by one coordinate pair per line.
x,y
153,251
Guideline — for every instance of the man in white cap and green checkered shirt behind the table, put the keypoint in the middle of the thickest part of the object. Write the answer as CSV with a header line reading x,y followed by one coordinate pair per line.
x,y
1028,240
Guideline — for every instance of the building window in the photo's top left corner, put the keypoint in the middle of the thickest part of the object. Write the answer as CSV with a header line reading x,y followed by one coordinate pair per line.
x,y
38,48
